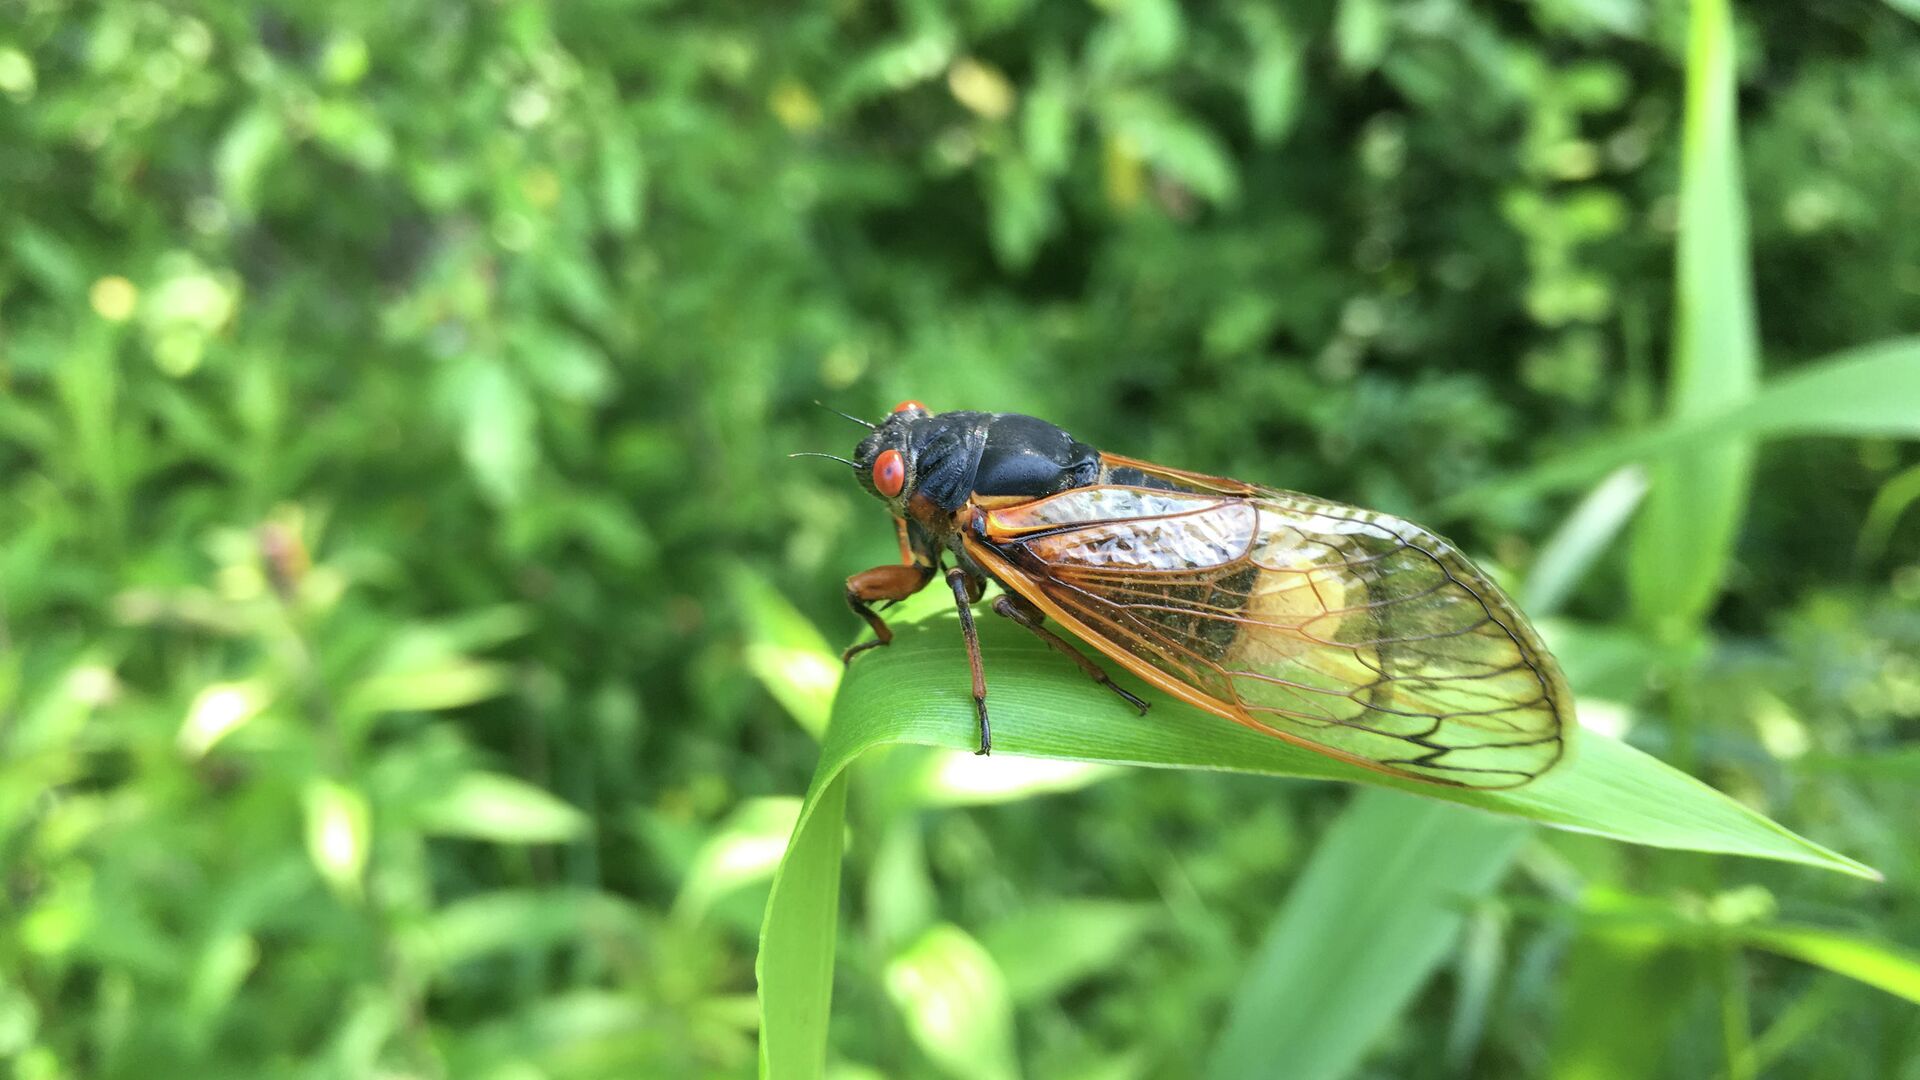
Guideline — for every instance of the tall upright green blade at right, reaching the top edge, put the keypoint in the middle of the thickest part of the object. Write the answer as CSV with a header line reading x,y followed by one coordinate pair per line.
x,y
1685,537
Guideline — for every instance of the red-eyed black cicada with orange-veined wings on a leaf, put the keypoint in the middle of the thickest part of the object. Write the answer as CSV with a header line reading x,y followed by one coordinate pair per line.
x,y
1339,629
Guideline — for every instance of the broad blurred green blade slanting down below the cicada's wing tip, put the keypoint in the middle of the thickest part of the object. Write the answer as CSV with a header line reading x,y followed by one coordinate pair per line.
x,y
1385,895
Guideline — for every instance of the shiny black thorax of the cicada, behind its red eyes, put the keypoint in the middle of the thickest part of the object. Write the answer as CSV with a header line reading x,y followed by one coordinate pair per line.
x,y
997,454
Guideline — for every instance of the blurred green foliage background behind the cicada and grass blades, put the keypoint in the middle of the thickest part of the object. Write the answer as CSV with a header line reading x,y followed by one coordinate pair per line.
x,y
402,585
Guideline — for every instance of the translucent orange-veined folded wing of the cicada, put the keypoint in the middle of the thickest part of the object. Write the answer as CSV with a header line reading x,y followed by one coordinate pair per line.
x,y
1347,631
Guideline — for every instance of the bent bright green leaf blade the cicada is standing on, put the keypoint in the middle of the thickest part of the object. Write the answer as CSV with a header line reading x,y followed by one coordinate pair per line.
x,y
917,693
